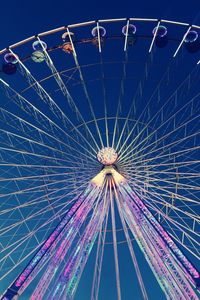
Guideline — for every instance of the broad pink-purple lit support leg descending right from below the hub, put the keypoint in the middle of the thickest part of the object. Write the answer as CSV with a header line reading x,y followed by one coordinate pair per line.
x,y
165,265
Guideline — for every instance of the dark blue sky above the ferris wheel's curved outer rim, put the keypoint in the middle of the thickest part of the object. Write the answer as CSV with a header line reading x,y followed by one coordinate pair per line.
x,y
20,19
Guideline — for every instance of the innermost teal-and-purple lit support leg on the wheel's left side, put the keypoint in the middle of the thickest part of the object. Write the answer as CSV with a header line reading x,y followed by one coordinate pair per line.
x,y
73,268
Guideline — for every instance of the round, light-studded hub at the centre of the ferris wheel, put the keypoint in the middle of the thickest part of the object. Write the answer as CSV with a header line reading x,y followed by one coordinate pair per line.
x,y
107,156
